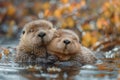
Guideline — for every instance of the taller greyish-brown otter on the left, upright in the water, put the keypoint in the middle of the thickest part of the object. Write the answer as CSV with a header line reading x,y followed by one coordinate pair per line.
x,y
36,35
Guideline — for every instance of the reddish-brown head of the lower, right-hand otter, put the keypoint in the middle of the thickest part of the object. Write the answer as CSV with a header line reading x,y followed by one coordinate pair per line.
x,y
65,42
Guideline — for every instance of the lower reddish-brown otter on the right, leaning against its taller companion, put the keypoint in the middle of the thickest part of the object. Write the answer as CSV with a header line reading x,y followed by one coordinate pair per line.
x,y
68,51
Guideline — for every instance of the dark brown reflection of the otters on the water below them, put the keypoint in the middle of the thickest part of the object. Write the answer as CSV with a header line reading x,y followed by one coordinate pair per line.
x,y
66,73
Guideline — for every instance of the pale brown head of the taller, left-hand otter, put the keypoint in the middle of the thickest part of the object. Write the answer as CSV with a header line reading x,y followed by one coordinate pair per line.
x,y
39,32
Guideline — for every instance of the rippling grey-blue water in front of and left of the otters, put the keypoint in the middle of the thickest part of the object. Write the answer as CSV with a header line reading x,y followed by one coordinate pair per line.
x,y
9,70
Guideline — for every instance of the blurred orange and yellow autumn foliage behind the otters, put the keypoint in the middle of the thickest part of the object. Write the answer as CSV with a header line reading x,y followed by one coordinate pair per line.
x,y
97,22
